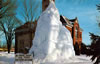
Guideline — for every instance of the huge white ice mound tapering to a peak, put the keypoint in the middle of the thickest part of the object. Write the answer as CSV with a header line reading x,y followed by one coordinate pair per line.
x,y
52,41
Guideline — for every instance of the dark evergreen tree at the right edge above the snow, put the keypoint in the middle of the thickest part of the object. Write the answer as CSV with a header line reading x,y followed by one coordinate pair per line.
x,y
95,48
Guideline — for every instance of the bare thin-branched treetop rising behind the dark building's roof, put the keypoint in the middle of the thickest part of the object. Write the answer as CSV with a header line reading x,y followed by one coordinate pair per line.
x,y
30,10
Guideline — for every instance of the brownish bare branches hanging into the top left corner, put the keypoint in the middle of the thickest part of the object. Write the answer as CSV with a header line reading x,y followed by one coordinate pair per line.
x,y
7,8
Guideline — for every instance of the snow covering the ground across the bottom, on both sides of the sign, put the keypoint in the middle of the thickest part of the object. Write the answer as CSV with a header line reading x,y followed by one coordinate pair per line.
x,y
6,58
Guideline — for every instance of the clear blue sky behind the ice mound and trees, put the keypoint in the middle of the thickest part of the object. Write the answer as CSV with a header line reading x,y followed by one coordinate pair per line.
x,y
84,10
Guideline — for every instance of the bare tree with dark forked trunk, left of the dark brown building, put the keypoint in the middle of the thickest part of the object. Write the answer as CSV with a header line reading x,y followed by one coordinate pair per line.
x,y
7,26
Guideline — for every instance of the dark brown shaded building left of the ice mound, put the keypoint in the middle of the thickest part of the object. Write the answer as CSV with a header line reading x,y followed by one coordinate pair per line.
x,y
24,36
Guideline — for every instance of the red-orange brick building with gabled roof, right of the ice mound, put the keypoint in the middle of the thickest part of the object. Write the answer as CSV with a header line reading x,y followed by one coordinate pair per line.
x,y
75,30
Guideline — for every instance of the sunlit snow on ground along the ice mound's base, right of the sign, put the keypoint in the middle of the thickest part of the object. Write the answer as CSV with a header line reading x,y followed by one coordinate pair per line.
x,y
82,59
